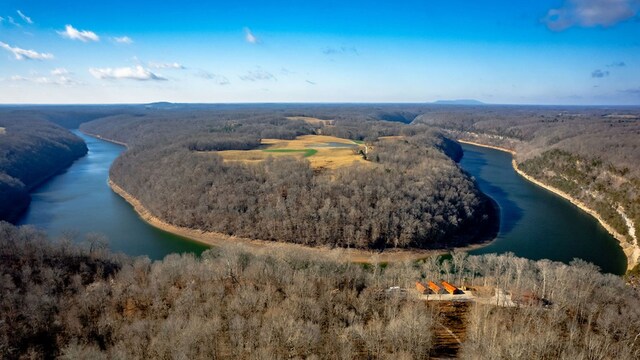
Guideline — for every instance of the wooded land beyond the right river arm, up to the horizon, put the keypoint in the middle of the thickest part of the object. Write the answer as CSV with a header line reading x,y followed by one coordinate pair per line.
x,y
591,153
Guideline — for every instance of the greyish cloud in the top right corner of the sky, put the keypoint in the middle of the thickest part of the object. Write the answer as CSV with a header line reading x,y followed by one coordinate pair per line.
x,y
590,13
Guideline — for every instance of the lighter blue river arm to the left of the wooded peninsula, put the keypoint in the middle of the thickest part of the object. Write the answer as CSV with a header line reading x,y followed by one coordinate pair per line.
x,y
80,201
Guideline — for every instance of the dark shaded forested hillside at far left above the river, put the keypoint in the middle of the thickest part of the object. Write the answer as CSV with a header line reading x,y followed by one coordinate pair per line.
x,y
31,150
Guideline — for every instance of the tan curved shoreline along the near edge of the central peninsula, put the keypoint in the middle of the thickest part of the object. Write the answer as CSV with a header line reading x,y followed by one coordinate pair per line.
x,y
344,254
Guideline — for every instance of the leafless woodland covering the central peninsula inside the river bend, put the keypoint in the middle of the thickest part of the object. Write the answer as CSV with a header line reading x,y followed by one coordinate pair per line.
x,y
411,195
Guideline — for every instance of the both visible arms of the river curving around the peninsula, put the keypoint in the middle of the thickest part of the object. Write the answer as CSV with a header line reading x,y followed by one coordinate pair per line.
x,y
534,223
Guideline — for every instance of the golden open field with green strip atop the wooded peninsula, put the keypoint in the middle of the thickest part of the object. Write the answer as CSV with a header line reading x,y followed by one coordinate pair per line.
x,y
322,152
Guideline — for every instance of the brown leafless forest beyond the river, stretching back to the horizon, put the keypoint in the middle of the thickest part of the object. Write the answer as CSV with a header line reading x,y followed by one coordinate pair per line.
x,y
590,153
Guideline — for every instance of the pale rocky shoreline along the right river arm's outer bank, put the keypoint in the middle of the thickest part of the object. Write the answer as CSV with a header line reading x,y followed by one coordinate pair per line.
x,y
631,252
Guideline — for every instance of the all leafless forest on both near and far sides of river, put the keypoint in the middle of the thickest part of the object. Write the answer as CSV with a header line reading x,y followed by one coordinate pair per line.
x,y
82,301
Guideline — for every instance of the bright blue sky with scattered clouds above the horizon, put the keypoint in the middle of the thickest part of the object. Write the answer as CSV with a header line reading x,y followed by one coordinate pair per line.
x,y
509,52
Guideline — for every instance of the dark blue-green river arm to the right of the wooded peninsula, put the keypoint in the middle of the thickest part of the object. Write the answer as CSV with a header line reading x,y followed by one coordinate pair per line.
x,y
534,223
